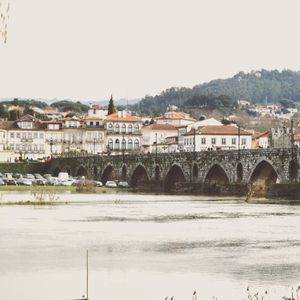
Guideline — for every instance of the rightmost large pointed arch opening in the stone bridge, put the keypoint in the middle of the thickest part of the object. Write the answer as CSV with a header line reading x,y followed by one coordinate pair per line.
x,y
263,174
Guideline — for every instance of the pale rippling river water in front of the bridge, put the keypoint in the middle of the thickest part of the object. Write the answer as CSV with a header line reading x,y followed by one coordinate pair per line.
x,y
148,247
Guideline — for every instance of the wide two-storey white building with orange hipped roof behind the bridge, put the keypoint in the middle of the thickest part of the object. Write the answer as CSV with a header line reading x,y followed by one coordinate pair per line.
x,y
226,137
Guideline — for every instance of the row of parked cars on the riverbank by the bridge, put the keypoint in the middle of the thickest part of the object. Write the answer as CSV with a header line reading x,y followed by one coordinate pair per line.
x,y
63,179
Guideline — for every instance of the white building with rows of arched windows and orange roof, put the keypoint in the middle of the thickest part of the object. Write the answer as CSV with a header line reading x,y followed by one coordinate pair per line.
x,y
123,133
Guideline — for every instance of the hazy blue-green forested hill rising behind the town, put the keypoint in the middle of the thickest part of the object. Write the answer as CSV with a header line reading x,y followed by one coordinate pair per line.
x,y
257,86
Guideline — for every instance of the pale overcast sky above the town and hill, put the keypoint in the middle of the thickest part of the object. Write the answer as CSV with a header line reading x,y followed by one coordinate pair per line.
x,y
88,49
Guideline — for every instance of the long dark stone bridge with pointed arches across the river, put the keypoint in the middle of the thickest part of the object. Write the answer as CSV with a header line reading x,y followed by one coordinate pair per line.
x,y
207,168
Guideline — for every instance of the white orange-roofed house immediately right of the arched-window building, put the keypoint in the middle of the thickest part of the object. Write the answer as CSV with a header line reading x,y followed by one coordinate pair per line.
x,y
156,134
